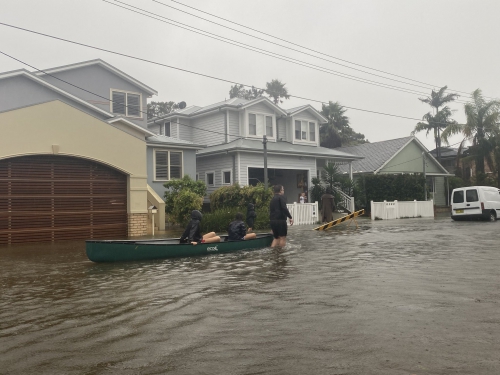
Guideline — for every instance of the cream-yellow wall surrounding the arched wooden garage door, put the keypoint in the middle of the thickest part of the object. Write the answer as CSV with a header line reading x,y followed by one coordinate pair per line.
x,y
35,129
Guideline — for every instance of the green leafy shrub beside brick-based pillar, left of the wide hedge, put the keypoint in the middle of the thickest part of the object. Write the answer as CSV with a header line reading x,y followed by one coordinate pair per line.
x,y
174,201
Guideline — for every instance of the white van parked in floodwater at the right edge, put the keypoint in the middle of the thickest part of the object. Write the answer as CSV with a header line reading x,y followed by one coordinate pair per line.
x,y
475,202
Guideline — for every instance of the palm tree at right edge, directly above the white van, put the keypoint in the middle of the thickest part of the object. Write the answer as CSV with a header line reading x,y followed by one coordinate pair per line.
x,y
481,126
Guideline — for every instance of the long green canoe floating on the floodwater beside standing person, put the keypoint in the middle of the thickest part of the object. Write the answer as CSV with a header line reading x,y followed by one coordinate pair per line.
x,y
126,250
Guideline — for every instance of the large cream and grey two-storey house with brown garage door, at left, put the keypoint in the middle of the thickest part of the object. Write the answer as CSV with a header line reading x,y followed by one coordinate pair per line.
x,y
74,152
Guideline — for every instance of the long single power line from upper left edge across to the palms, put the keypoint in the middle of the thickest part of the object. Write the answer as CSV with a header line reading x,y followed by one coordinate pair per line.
x,y
201,74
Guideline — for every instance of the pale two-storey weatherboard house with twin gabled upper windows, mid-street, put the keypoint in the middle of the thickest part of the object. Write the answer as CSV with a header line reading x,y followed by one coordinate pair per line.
x,y
233,131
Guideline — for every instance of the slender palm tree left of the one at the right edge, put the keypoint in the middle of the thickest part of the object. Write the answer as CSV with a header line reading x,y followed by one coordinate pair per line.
x,y
434,121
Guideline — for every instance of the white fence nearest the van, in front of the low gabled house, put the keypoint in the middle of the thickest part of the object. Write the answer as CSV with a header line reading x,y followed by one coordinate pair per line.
x,y
404,209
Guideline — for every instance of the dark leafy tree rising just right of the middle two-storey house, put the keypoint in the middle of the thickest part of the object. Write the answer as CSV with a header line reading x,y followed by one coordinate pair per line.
x,y
338,132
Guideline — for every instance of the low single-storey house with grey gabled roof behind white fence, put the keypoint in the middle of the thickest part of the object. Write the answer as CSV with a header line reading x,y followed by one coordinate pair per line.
x,y
396,156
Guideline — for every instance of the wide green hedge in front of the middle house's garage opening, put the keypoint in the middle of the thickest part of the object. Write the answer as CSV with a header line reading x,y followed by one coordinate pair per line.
x,y
235,196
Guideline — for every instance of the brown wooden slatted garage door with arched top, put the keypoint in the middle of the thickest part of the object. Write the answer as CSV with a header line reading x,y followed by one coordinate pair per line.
x,y
52,198
